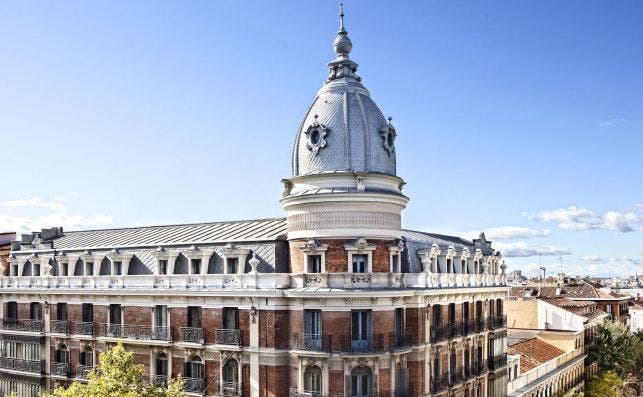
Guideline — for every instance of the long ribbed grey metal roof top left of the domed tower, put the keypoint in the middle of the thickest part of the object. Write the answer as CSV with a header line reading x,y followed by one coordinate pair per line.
x,y
216,232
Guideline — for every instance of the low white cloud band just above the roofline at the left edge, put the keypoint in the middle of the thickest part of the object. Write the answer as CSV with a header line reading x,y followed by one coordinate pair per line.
x,y
20,224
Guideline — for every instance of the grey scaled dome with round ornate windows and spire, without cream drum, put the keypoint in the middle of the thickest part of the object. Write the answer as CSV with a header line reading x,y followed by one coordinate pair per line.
x,y
344,130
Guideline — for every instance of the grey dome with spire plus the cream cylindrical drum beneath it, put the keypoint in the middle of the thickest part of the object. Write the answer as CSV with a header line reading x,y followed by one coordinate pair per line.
x,y
344,183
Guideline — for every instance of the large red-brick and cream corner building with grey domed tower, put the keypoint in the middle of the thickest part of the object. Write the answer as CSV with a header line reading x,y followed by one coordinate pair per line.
x,y
334,299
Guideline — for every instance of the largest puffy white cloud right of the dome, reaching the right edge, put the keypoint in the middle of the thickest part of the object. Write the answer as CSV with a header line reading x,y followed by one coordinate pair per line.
x,y
575,219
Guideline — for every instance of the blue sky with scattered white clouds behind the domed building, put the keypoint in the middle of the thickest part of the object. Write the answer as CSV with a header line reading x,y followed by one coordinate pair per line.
x,y
520,119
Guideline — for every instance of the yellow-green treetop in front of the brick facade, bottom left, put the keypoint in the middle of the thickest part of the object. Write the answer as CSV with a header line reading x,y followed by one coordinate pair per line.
x,y
117,375
